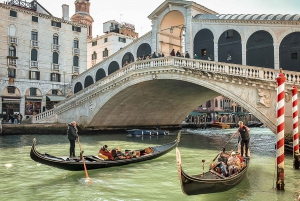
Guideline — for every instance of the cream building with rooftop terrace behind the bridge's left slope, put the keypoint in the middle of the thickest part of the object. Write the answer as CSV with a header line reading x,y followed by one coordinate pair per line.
x,y
117,35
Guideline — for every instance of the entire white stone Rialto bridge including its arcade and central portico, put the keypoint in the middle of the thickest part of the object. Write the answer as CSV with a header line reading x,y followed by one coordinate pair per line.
x,y
239,57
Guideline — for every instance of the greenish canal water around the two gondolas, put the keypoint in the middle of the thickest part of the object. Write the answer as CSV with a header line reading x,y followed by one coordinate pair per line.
x,y
24,179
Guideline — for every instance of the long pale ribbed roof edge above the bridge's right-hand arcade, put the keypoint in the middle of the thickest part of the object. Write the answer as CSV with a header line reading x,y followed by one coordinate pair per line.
x,y
280,17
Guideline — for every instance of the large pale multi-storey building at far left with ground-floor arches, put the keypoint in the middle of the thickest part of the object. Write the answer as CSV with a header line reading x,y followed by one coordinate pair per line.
x,y
39,56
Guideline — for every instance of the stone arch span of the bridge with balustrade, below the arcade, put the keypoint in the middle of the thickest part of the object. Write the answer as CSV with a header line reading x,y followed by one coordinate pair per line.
x,y
165,90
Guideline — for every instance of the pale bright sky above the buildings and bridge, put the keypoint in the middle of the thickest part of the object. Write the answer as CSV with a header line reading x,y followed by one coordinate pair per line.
x,y
137,11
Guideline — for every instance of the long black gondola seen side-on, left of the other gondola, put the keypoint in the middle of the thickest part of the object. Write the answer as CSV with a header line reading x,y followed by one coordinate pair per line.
x,y
94,162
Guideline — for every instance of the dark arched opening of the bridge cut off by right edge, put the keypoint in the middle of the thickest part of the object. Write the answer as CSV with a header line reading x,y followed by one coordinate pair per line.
x,y
289,52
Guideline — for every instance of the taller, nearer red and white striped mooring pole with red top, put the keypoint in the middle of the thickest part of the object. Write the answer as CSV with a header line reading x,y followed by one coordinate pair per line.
x,y
280,130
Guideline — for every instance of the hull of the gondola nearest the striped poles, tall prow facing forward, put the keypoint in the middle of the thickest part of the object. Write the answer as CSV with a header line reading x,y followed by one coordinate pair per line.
x,y
208,182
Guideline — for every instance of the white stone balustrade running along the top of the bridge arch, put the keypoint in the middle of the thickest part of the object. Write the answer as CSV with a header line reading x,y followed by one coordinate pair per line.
x,y
224,71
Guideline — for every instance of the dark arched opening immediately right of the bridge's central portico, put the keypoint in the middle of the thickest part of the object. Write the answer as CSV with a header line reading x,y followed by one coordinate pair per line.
x,y
204,45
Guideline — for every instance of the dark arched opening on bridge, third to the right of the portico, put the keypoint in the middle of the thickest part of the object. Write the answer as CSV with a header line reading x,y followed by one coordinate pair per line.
x,y
260,50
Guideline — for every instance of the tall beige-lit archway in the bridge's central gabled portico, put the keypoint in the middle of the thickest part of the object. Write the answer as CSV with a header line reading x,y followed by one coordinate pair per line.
x,y
170,34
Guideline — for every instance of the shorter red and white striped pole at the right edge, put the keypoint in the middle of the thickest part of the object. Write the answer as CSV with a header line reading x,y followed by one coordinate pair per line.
x,y
295,127
